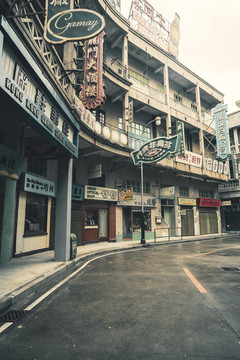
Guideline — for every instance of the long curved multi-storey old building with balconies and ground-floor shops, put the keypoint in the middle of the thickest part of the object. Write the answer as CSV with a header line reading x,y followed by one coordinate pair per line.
x,y
72,113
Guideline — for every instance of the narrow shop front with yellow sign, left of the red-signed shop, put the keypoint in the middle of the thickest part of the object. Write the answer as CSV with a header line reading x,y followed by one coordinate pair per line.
x,y
187,216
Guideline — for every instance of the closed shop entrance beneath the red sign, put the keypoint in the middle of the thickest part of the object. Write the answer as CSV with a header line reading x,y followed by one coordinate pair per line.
x,y
208,221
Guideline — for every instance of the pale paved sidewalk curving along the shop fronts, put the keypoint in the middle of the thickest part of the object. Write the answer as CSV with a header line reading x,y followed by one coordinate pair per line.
x,y
25,275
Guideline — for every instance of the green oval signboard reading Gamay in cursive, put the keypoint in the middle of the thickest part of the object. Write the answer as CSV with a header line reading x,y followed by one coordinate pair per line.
x,y
64,24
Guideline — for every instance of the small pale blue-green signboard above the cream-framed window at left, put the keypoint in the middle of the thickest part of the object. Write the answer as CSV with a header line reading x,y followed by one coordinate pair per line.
x,y
37,185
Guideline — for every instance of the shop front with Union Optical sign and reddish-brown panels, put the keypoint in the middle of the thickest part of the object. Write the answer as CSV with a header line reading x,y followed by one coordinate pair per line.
x,y
99,214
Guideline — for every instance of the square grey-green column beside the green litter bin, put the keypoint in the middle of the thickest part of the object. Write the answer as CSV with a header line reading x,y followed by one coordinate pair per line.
x,y
63,210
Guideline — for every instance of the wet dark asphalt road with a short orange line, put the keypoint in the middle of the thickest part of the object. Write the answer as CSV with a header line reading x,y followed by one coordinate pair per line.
x,y
165,302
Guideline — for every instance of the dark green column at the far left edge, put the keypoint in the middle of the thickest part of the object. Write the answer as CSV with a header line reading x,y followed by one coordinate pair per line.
x,y
7,230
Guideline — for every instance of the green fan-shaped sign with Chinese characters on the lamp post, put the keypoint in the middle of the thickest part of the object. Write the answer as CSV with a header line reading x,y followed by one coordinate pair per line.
x,y
156,150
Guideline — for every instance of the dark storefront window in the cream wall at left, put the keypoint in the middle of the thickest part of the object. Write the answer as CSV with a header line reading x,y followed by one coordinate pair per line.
x,y
36,215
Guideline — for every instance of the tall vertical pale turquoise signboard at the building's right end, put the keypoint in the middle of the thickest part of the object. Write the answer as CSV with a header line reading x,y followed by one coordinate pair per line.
x,y
222,134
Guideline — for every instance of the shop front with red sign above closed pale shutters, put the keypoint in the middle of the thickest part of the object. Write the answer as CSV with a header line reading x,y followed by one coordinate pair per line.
x,y
209,215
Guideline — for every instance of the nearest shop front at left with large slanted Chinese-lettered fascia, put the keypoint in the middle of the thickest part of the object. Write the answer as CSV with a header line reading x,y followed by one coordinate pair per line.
x,y
33,113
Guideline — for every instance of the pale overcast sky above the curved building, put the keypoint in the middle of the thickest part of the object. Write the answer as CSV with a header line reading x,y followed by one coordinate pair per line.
x,y
210,40
